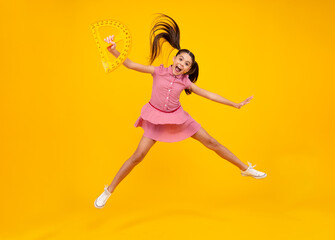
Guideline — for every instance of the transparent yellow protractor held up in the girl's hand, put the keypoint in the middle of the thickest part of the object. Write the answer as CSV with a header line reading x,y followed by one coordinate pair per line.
x,y
105,28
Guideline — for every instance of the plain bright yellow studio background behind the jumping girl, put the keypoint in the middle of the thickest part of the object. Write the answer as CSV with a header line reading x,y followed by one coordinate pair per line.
x,y
66,127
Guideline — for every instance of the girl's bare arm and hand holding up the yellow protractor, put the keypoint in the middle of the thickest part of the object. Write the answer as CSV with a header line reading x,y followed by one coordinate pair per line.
x,y
128,63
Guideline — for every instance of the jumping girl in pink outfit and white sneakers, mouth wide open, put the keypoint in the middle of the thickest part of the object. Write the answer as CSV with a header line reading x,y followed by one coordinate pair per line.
x,y
162,118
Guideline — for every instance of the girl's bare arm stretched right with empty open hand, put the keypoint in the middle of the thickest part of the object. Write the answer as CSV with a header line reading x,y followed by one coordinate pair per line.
x,y
216,97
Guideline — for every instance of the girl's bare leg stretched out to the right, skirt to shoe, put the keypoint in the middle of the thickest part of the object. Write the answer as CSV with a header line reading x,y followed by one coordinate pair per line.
x,y
207,140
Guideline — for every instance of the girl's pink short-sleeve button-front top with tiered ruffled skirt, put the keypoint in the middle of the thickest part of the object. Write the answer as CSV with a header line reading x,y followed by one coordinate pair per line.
x,y
163,118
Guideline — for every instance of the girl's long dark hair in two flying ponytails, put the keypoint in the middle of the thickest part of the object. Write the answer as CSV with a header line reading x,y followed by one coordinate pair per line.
x,y
169,31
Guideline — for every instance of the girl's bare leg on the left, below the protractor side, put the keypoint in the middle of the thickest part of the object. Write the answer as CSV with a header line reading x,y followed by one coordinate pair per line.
x,y
142,149
